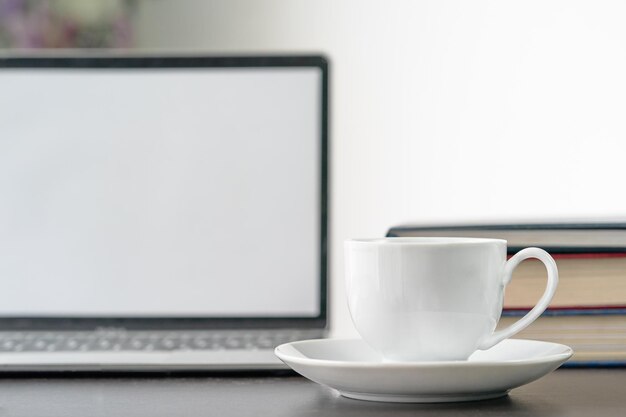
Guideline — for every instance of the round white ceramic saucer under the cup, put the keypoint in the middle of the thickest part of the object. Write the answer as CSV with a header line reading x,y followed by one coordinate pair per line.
x,y
357,371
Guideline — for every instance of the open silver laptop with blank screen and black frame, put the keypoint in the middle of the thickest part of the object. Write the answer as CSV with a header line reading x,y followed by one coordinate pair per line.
x,y
161,213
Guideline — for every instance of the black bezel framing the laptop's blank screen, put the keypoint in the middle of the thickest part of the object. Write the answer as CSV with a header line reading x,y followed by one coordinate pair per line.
x,y
197,323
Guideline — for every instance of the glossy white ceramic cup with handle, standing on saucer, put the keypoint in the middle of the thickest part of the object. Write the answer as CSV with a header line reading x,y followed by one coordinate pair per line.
x,y
434,299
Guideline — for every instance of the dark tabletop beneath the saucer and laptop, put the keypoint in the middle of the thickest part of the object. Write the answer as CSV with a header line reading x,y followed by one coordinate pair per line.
x,y
566,392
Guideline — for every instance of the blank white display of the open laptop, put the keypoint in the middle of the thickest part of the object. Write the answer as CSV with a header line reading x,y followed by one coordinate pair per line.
x,y
159,192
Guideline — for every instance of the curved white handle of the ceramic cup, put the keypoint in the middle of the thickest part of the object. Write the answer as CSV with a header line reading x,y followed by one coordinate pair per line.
x,y
544,301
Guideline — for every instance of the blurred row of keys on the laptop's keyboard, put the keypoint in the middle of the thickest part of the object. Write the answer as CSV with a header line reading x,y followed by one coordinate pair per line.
x,y
38,341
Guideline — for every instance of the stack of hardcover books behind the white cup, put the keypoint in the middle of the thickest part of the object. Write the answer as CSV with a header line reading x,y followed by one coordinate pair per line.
x,y
588,311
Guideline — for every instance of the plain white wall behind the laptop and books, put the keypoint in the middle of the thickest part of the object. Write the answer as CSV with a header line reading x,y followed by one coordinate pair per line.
x,y
443,110
